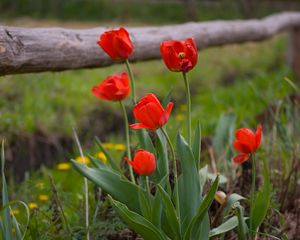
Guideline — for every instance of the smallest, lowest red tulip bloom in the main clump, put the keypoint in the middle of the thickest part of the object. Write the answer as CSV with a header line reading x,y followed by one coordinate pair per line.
x,y
143,163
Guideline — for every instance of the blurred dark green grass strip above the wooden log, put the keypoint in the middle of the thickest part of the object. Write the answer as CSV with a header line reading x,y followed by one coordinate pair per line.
x,y
147,11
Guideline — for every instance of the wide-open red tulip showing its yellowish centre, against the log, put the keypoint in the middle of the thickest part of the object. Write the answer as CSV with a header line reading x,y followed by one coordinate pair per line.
x,y
179,56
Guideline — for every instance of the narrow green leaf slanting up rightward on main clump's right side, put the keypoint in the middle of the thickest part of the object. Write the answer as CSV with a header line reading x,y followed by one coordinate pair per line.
x,y
202,210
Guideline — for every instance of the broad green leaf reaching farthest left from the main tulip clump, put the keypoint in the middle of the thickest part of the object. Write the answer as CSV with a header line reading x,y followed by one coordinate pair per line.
x,y
112,183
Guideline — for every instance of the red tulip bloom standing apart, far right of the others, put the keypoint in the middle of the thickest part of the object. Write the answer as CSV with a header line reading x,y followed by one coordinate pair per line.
x,y
246,143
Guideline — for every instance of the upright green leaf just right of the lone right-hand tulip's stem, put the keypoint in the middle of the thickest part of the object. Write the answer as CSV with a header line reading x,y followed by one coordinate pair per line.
x,y
261,202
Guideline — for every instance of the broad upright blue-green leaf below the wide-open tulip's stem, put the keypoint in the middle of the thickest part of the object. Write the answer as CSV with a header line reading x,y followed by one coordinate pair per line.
x,y
189,183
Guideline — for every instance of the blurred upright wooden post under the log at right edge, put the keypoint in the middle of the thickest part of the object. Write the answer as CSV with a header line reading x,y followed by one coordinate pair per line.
x,y
294,51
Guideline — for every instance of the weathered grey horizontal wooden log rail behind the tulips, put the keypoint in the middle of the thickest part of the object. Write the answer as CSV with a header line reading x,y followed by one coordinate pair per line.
x,y
24,50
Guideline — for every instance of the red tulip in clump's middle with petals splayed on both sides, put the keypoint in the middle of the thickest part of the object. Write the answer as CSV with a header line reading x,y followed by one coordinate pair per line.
x,y
150,113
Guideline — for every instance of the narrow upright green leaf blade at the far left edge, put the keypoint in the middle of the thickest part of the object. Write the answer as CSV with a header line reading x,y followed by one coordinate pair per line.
x,y
5,201
